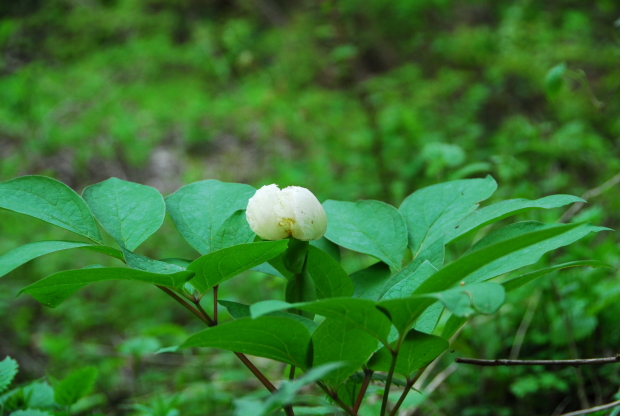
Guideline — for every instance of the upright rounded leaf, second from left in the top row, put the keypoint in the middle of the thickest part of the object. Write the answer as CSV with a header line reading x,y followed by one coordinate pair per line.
x,y
128,211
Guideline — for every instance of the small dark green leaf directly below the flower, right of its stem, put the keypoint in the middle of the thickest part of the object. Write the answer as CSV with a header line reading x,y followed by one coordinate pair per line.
x,y
330,279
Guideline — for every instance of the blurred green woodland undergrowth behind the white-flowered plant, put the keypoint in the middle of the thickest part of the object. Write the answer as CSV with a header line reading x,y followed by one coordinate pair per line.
x,y
352,99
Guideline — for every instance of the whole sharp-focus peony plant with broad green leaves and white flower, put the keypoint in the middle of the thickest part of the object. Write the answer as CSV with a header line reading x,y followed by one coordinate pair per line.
x,y
342,332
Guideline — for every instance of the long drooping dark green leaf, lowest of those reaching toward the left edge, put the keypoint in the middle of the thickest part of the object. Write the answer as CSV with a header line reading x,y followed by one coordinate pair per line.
x,y
55,289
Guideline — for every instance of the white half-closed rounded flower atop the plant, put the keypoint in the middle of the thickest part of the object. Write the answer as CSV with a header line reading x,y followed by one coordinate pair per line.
x,y
275,214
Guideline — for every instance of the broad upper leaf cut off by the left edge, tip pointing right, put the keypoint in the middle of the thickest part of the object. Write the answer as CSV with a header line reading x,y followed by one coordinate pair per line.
x,y
51,201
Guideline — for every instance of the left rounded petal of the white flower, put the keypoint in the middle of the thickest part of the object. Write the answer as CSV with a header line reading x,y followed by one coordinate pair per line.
x,y
262,216
